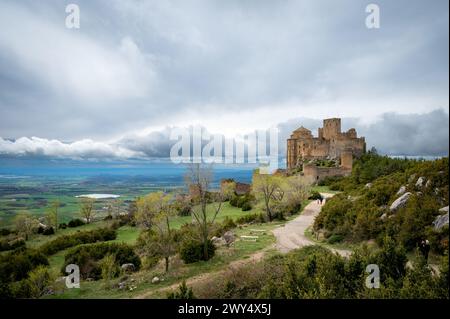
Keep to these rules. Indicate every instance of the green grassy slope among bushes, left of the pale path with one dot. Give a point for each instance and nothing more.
(179, 271)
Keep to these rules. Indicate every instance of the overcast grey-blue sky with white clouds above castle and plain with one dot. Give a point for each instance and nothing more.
(134, 69)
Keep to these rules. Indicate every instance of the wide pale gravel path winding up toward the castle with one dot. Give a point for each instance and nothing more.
(292, 235)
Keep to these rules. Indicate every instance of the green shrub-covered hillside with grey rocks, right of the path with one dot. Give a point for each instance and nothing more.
(398, 198)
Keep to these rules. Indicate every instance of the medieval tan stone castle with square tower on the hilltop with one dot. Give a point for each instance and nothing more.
(303, 150)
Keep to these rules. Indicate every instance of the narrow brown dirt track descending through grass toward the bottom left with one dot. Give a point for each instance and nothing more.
(205, 277)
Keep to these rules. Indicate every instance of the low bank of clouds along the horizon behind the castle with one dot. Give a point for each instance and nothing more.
(392, 134)
